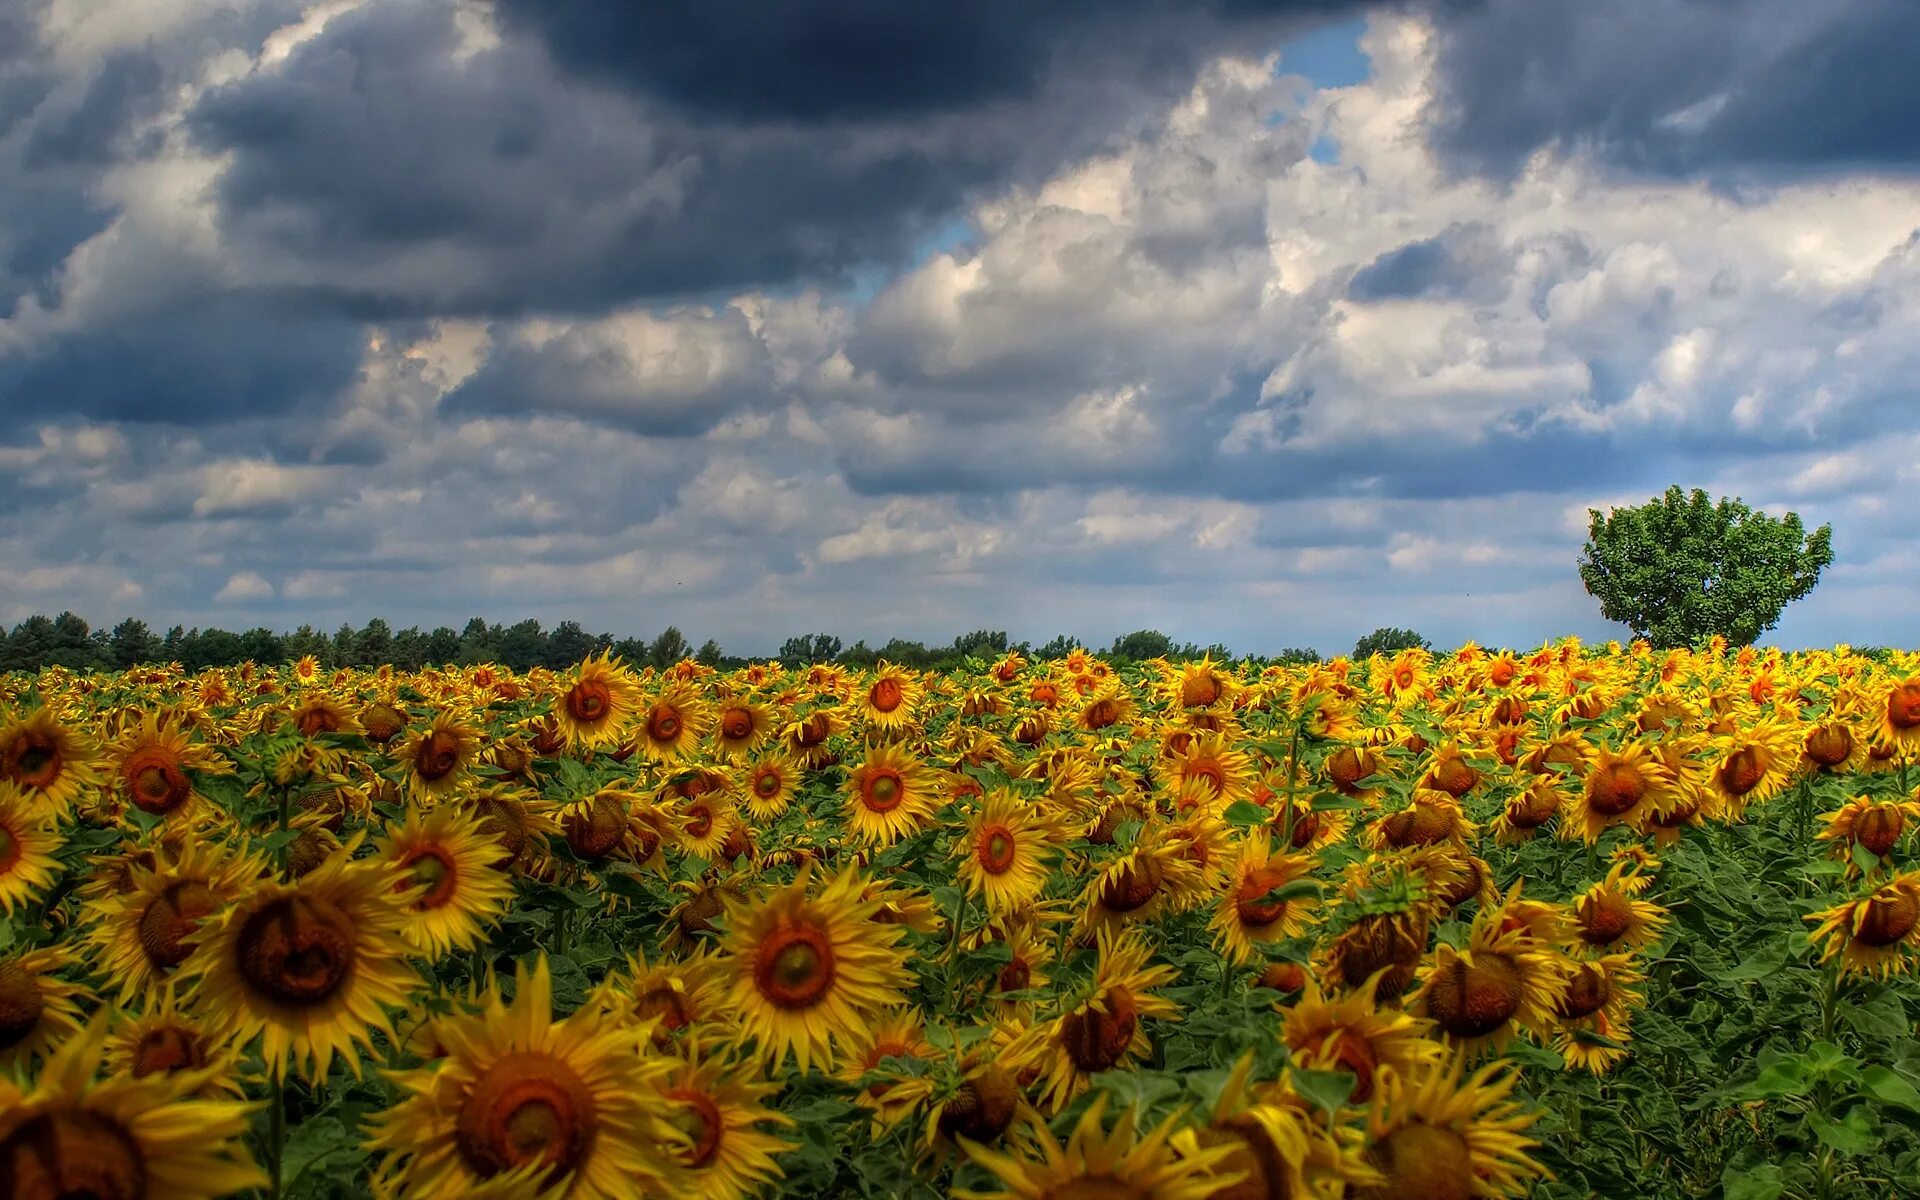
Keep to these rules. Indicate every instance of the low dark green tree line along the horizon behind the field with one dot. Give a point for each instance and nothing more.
(70, 642)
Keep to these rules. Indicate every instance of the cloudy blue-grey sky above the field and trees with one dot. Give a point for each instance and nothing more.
(1253, 322)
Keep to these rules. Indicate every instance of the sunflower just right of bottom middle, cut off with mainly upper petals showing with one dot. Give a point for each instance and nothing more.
(1099, 1163)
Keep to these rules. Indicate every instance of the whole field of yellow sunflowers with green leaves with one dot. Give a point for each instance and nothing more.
(1573, 923)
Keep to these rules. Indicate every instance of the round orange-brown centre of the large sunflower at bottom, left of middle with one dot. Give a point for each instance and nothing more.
(527, 1109)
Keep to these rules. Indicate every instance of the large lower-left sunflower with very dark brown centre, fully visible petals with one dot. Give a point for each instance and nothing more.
(310, 967)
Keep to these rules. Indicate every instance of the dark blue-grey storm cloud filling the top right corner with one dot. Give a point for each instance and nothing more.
(1679, 87)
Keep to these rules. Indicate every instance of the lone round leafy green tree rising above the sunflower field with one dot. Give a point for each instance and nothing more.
(1681, 569)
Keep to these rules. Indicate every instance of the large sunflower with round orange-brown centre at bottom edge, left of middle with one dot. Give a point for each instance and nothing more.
(517, 1095)
